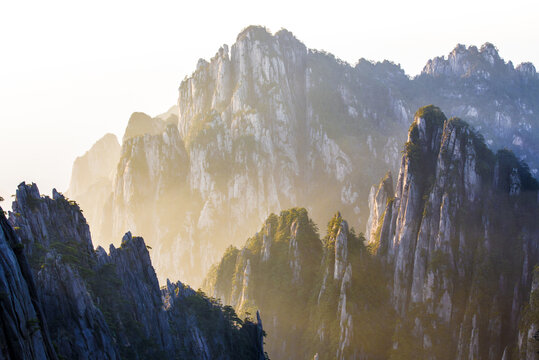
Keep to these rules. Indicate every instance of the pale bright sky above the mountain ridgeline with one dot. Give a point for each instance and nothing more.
(71, 71)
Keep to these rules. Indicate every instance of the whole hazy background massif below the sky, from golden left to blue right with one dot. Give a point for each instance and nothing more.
(268, 124)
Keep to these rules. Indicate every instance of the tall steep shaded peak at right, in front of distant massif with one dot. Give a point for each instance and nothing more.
(461, 244)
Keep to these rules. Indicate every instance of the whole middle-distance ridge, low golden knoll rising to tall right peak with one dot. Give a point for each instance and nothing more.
(447, 272)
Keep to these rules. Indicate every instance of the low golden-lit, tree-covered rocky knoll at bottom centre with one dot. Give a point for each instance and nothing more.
(332, 293)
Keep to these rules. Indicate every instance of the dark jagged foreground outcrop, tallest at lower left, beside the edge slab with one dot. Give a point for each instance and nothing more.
(57, 242)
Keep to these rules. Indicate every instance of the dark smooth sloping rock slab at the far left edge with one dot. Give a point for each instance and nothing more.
(23, 330)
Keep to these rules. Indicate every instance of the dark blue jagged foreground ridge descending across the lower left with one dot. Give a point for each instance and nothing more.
(109, 306)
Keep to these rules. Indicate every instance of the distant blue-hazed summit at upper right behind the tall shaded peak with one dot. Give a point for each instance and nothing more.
(490, 94)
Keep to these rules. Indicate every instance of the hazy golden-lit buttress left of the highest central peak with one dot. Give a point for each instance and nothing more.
(152, 197)
